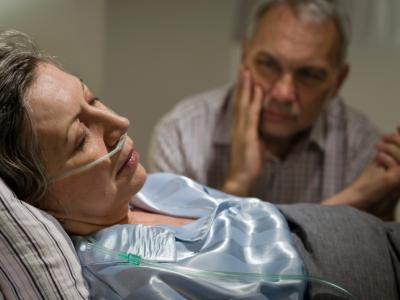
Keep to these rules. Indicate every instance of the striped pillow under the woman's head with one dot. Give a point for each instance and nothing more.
(37, 259)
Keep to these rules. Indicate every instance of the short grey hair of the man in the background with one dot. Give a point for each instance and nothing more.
(311, 10)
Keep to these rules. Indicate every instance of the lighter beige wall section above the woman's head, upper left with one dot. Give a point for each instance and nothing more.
(71, 30)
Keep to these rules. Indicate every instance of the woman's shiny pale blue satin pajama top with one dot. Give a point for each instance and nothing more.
(229, 234)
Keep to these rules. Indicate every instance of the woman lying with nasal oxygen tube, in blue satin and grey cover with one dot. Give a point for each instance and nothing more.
(63, 151)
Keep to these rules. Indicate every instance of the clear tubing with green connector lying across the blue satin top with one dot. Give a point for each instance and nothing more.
(137, 261)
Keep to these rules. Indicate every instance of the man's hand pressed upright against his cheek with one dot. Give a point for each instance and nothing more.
(247, 149)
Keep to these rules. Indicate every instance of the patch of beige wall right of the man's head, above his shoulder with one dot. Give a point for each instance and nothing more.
(374, 85)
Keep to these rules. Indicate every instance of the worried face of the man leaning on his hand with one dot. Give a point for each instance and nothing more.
(295, 62)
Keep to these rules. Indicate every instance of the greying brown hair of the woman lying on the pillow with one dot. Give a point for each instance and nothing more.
(21, 166)
